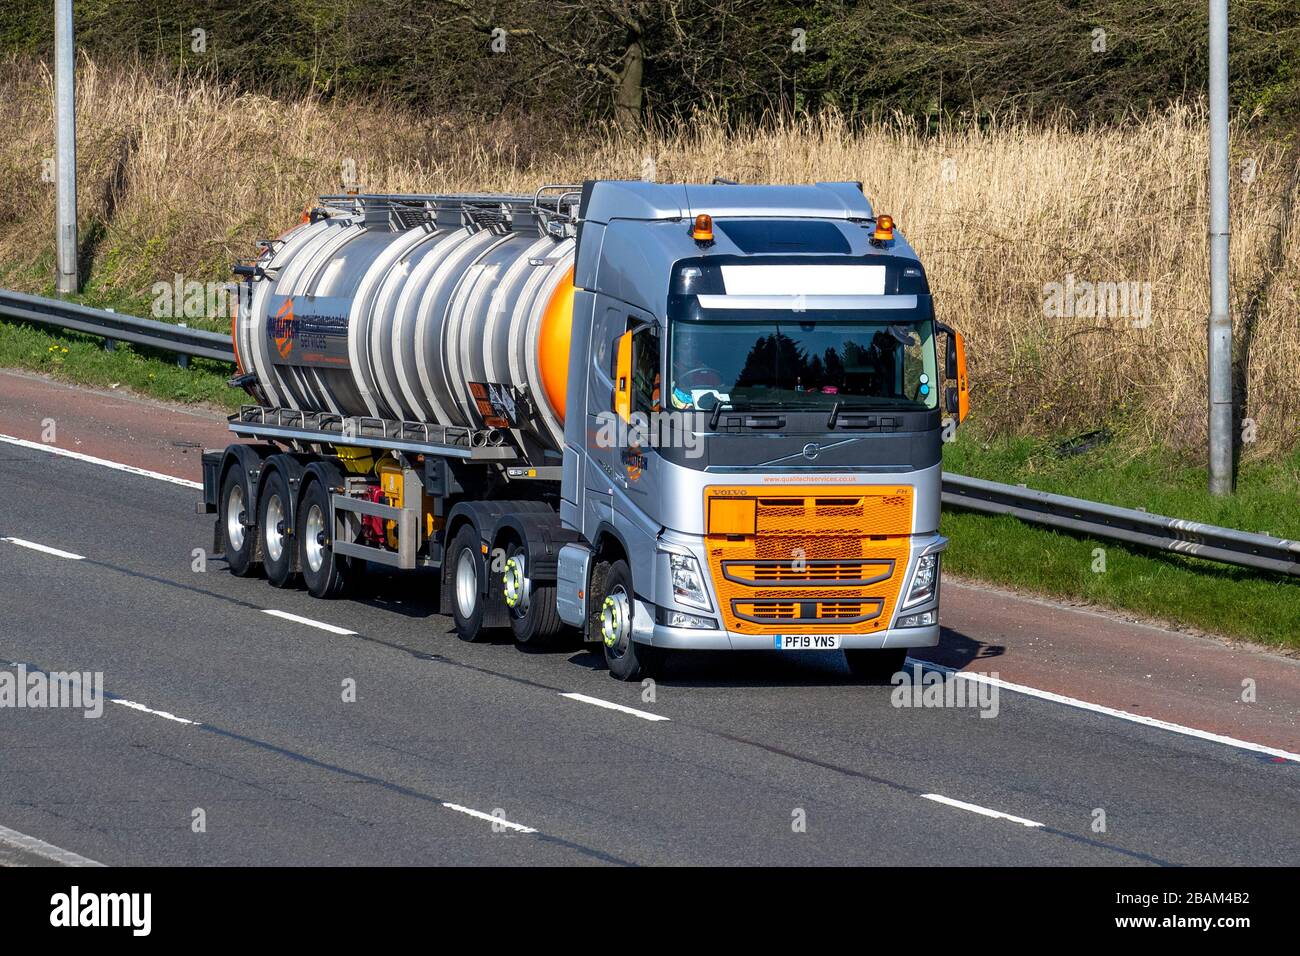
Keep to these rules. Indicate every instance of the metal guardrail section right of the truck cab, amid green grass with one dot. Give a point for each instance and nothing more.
(1110, 522)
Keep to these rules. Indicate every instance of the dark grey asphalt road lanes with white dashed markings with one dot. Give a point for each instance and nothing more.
(762, 760)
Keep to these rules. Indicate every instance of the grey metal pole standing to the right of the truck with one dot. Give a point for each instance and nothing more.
(1220, 319)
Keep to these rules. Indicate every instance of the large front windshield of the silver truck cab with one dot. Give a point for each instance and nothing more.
(816, 360)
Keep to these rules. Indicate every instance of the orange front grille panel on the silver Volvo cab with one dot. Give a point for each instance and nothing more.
(808, 557)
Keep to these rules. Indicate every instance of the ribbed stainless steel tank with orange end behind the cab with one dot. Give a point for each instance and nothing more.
(417, 309)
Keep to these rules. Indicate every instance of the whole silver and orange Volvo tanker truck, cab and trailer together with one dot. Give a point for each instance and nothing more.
(668, 417)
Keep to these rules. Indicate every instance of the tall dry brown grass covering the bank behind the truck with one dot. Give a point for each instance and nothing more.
(184, 176)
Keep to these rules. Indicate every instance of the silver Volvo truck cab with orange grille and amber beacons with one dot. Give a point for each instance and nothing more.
(759, 456)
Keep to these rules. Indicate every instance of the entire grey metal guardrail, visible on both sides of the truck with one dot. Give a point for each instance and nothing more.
(1091, 518)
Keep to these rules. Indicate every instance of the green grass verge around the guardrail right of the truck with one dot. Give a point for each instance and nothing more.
(1208, 596)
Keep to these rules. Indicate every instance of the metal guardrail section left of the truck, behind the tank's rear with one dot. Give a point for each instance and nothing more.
(116, 327)
